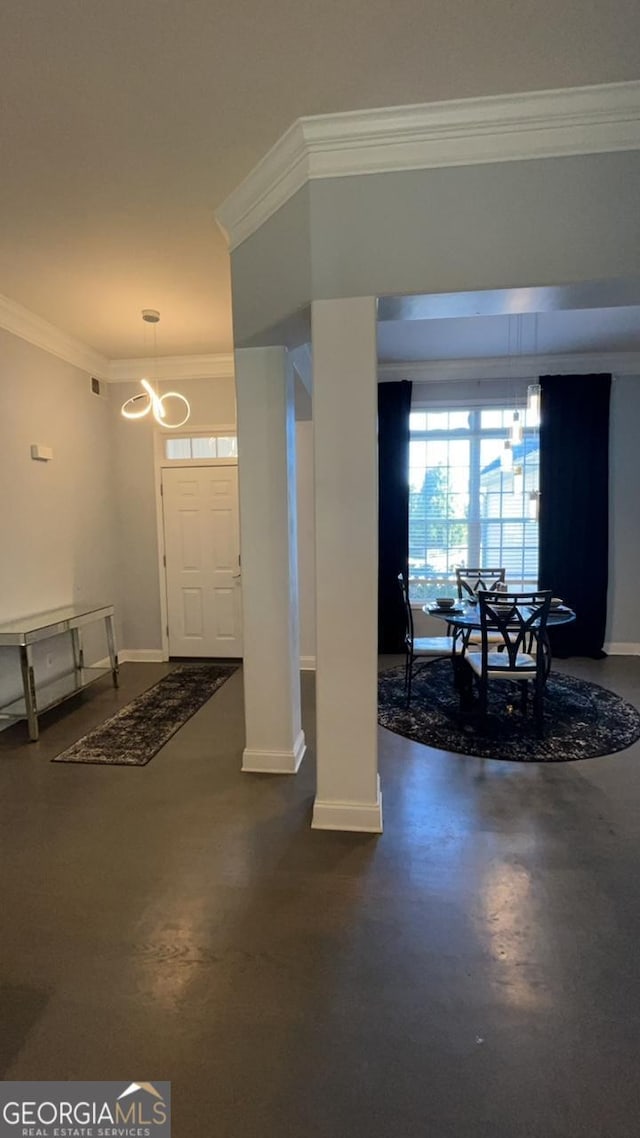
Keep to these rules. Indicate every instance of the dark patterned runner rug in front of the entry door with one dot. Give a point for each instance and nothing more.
(138, 731)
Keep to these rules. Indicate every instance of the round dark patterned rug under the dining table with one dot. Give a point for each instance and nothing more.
(582, 721)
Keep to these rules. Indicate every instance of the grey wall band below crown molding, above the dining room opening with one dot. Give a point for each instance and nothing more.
(545, 221)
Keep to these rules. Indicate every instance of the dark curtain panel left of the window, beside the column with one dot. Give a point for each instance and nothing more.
(395, 408)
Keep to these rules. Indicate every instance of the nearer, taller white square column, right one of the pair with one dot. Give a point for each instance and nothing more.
(347, 565)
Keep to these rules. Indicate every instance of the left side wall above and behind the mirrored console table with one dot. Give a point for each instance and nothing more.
(59, 538)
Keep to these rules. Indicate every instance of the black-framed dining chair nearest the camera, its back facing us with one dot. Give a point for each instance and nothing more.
(521, 622)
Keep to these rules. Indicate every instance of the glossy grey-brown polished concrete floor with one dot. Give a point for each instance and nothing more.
(473, 972)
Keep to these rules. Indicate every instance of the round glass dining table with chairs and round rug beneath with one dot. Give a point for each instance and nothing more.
(487, 685)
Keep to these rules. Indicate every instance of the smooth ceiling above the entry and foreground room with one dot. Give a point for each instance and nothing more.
(126, 123)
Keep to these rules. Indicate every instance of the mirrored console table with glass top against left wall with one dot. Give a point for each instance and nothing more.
(26, 632)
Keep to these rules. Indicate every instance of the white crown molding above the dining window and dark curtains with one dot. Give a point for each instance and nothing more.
(618, 364)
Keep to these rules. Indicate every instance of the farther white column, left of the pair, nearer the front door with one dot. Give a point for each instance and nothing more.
(265, 385)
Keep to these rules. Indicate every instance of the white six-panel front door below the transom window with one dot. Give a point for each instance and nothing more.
(203, 571)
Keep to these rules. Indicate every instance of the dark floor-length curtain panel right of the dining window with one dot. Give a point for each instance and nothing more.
(575, 506)
